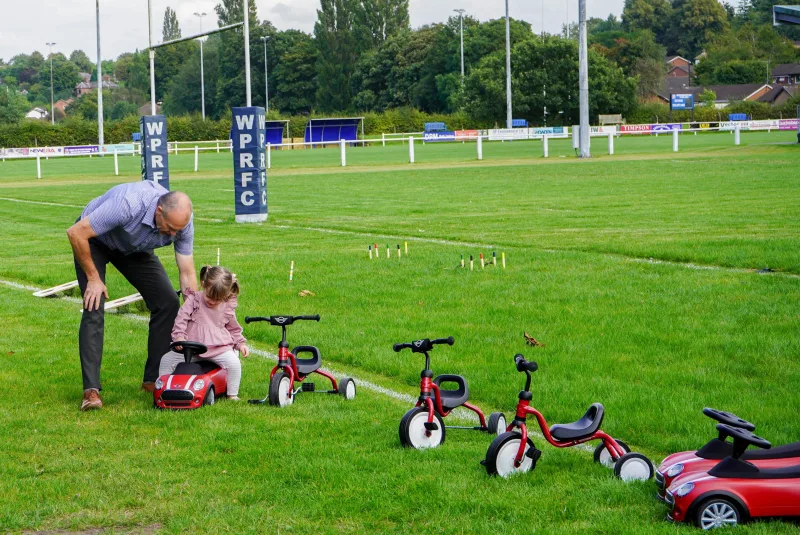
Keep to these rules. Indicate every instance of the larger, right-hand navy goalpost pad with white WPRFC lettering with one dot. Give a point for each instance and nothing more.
(248, 136)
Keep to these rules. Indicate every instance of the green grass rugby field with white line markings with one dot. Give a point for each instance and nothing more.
(638, 272)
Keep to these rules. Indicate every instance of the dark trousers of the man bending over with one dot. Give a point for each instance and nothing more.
(145, 273)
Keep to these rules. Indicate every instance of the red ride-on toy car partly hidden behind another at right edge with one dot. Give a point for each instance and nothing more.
(717, 449)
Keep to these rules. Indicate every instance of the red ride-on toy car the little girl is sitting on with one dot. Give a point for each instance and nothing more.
(193, 383)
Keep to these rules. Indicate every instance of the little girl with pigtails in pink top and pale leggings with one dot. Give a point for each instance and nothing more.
(209, 317)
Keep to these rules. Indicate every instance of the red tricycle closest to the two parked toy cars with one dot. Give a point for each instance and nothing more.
(513, 452)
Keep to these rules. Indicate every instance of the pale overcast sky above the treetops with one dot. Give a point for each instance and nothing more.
(27, 25)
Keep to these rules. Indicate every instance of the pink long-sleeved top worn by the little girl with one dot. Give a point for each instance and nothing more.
(216, 328)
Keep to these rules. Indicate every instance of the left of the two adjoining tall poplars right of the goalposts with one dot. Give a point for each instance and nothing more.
(336, 59)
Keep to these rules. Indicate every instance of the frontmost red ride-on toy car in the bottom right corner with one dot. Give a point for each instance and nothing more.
(735, 490)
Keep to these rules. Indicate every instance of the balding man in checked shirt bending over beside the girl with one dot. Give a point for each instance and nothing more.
(122, 227)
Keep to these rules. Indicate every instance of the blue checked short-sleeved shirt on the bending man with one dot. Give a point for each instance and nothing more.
(124, 220)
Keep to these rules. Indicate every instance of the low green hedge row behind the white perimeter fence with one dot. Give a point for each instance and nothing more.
(75, 131)
